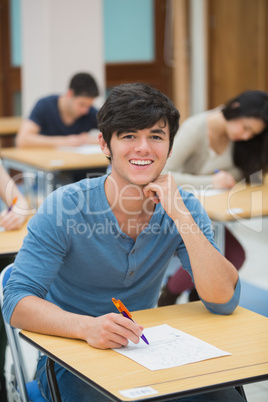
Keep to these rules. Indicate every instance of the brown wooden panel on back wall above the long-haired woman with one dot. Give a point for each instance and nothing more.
(258, 78)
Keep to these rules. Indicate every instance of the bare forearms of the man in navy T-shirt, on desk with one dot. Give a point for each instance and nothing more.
(29, 136)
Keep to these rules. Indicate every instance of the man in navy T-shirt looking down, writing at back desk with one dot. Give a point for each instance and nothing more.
(63, 120)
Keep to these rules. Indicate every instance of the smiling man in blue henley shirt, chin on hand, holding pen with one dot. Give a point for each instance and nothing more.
(114, 236)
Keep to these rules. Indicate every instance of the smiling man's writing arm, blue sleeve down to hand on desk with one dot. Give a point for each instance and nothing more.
(36, 268)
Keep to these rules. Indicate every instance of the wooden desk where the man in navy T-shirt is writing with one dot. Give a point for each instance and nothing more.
(44, 163)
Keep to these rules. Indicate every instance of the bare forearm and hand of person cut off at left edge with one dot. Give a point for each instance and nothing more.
(15, 218)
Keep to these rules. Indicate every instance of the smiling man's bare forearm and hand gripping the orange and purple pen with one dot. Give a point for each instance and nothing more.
(107, 331)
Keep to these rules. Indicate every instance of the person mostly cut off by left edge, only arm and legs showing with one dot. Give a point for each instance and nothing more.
(9, 220)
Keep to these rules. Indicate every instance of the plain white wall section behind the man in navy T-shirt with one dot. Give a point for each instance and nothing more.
(59, 39)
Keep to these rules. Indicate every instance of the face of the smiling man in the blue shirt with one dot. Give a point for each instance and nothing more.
(139, 156)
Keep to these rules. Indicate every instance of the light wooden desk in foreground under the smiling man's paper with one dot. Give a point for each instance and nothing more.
(244, 334)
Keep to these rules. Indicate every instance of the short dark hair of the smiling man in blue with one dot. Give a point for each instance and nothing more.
(136, 106)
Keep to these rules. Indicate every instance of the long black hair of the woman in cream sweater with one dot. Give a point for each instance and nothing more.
(252, 155)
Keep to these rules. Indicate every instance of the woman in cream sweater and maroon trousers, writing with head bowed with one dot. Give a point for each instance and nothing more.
(215, 149)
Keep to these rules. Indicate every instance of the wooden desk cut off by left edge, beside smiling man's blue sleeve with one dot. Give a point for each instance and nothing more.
(11, 240)
